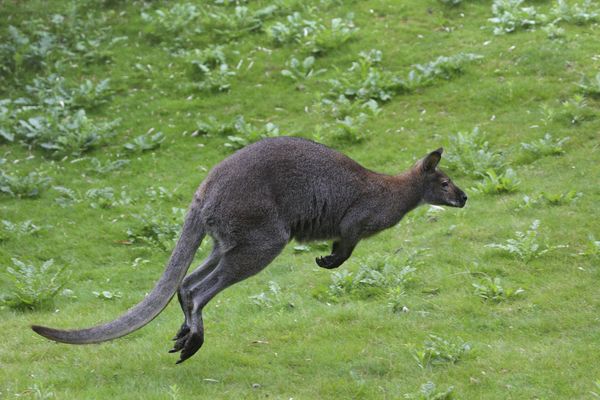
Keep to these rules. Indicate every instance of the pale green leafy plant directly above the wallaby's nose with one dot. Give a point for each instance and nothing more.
(470, 154)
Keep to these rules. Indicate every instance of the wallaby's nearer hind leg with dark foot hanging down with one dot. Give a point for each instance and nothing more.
(234, 266)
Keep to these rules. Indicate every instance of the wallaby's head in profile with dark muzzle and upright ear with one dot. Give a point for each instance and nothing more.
(438, 188)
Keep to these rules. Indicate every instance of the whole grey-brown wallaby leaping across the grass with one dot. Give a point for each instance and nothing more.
(252, 204)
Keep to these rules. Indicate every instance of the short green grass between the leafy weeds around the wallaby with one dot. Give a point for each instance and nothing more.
(543, 345)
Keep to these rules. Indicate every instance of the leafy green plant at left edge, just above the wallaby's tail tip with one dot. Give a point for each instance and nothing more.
(32, 287)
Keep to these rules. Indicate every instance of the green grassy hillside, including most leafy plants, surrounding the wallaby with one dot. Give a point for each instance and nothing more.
(155, 68)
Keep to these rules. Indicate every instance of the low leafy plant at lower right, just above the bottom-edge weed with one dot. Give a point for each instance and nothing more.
(437, 350)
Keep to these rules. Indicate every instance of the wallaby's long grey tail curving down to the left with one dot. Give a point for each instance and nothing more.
(145, 311)
